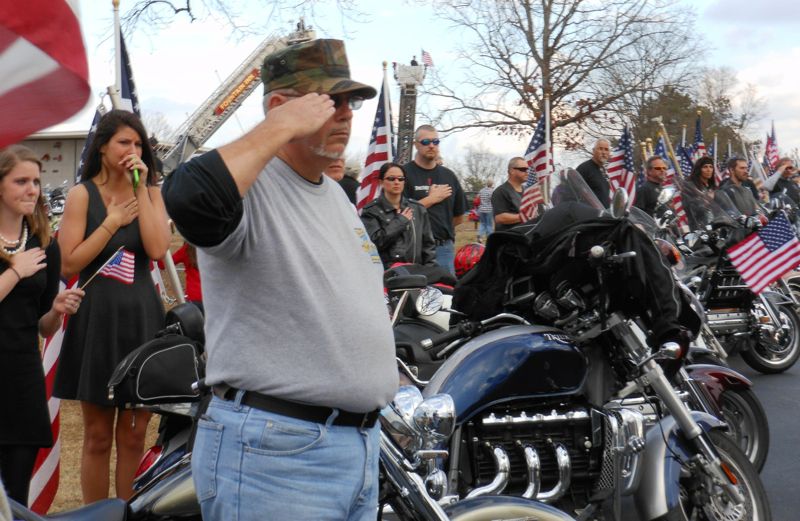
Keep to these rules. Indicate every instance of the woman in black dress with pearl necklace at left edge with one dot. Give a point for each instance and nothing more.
(30, 304)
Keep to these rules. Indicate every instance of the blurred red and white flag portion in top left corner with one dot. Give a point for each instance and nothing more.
(45, 77)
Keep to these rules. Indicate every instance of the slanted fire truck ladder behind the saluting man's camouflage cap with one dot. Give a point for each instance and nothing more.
(224, 101)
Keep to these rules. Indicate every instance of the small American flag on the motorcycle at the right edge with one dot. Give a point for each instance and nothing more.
(766, 255)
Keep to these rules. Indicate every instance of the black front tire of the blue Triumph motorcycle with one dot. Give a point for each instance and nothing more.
(715, 508)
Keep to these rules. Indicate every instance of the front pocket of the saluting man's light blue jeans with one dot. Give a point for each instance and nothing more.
(285, 437)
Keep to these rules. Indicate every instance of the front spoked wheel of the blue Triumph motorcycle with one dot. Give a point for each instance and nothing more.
(703, 500)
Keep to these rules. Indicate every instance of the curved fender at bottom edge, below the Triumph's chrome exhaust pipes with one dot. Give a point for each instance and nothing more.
(504, 507)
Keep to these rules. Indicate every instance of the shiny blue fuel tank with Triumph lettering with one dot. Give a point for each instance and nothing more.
(508, 364)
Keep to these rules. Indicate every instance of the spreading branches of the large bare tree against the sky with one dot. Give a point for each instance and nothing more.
(588, 56)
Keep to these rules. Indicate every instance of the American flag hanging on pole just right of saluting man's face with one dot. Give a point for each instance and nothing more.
(379, 151)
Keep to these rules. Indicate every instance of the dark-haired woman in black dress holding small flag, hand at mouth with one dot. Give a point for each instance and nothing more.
(117, 204)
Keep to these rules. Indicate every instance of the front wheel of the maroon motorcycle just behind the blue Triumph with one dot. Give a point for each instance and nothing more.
(747, 424)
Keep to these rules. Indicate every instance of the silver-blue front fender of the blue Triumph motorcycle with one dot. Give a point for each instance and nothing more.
(659, 488)
